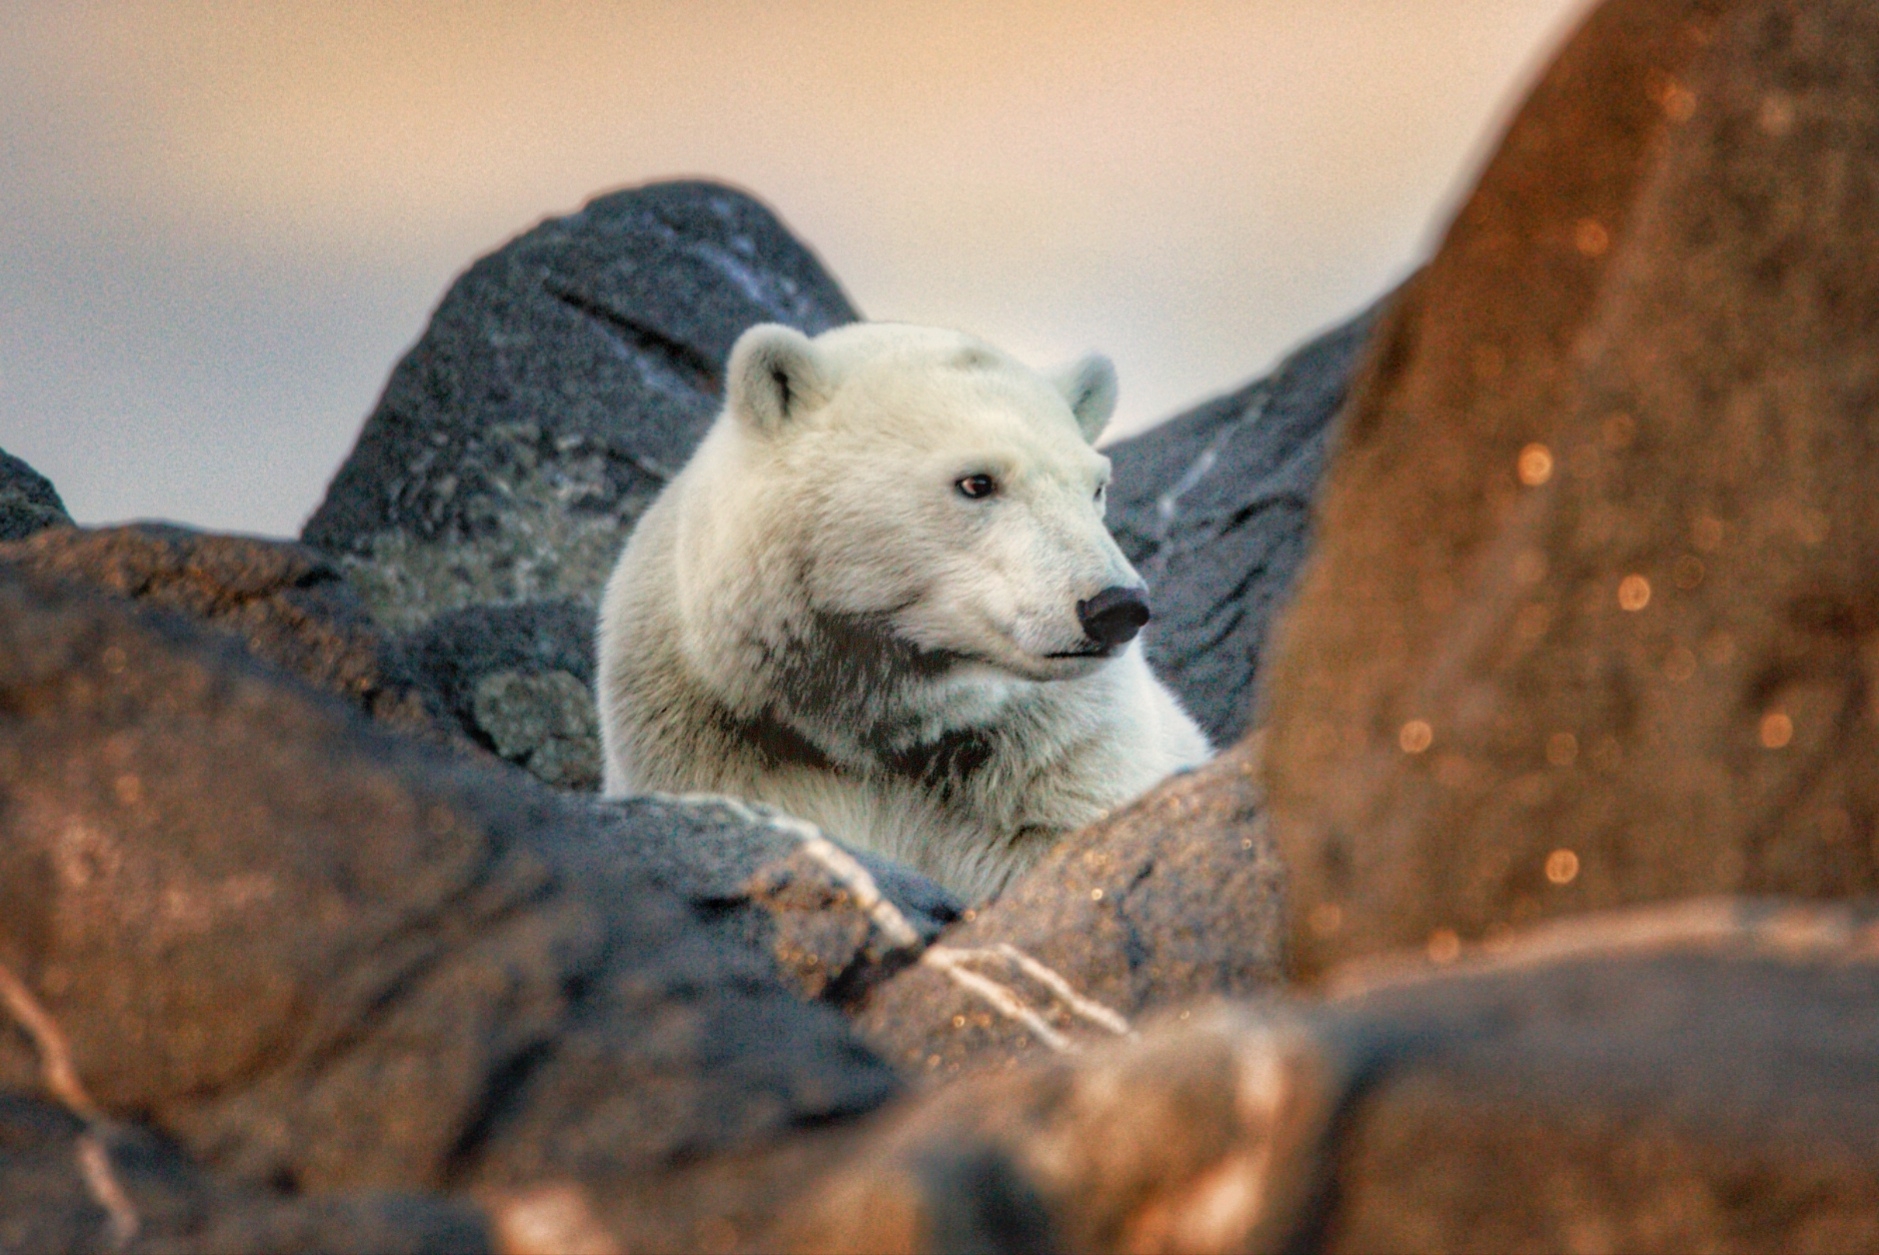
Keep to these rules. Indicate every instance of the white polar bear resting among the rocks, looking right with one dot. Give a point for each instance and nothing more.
(882, 598)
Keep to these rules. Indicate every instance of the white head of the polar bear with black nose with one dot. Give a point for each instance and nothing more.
(903, 516)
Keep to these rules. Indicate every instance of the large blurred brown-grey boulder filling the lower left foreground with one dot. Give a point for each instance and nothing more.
(324, 959)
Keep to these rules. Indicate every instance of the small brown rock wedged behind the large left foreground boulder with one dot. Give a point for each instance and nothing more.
(285, 602)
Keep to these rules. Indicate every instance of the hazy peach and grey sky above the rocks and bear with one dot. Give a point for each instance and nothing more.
(221, 225)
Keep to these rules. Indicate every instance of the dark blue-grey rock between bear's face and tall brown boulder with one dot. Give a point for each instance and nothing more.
(1215, 510)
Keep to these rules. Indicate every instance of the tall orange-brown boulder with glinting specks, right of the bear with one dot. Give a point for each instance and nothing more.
(1592, 612)
